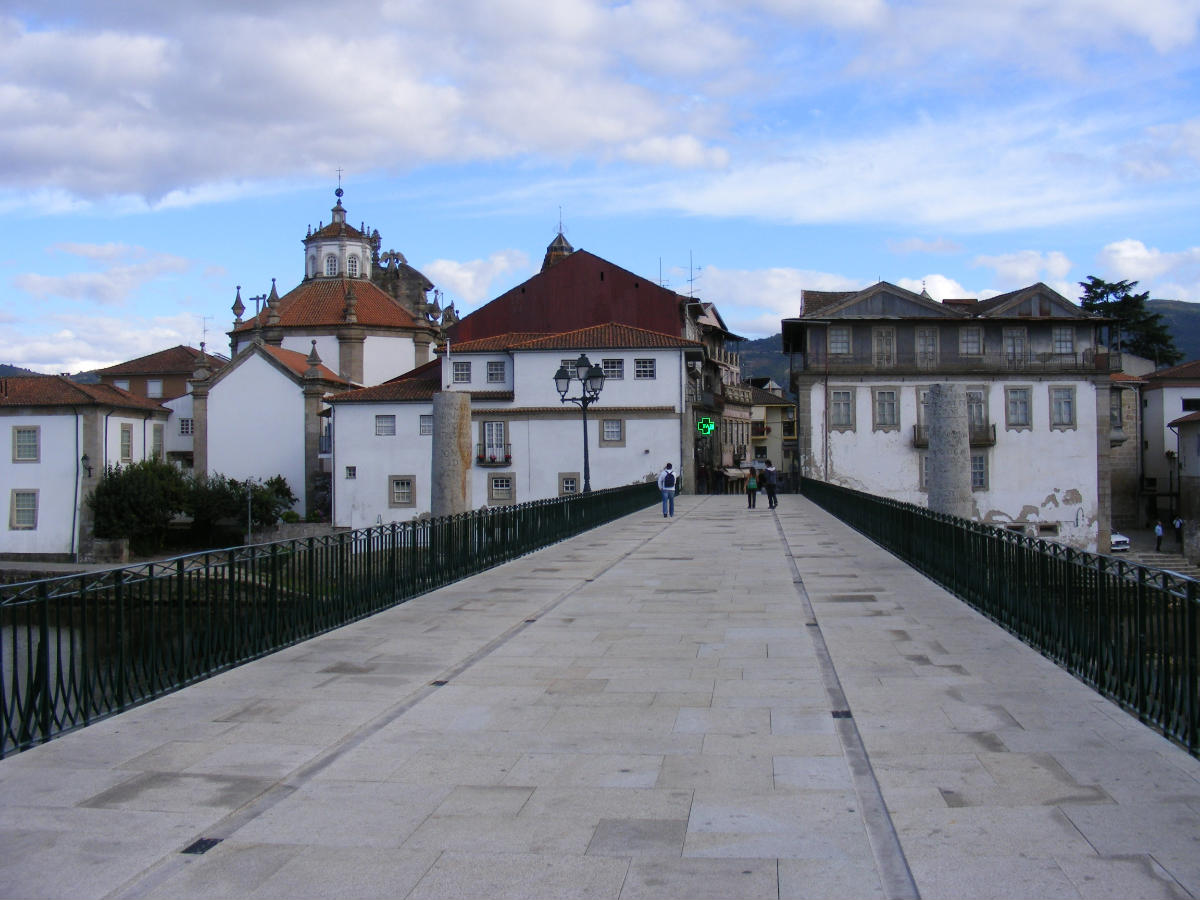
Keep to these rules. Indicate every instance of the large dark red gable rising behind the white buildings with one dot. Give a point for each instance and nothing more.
(580, 291)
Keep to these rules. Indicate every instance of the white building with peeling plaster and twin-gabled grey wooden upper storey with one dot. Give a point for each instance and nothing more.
(1037, 387)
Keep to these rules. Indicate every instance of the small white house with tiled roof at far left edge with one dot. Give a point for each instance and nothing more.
(62, 437)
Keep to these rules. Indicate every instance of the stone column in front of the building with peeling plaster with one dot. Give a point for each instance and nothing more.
(949, 464)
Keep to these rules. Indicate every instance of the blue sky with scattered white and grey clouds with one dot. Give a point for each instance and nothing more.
(155, 155)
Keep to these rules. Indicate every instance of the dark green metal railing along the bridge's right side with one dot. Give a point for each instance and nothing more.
(1129, 631)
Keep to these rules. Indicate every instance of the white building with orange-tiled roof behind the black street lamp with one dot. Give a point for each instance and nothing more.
(529, 443)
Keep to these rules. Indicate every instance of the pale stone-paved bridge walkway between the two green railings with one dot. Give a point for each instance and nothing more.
(734, 704)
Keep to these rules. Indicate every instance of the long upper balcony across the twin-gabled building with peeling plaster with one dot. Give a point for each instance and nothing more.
(1089, 362)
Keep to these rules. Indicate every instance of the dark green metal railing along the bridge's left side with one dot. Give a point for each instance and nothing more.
(80, 649)
